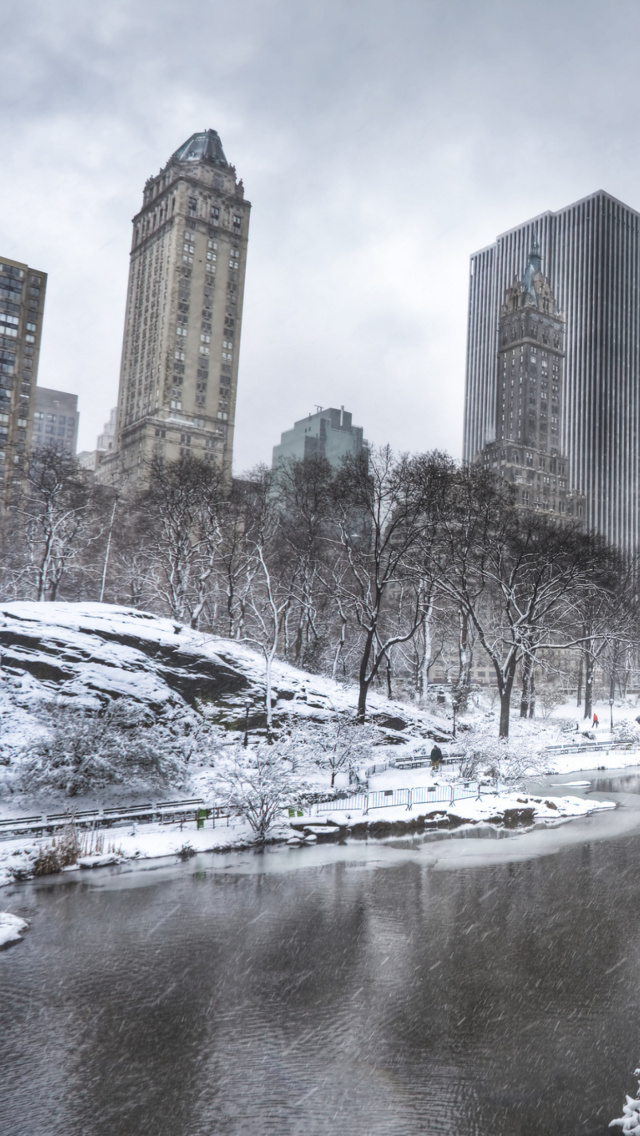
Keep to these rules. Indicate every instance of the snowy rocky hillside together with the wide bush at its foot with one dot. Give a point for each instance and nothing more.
(95, 697)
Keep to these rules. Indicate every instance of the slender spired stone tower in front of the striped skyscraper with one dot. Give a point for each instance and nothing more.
(527, 447)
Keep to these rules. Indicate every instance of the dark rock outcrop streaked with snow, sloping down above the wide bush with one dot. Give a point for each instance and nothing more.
(97, 653)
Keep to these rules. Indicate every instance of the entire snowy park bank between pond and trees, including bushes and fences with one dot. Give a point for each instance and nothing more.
(127, 738)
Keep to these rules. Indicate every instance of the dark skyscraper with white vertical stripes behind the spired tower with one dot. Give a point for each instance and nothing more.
(591, 253)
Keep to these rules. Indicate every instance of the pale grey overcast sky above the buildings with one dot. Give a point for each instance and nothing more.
(380, 141)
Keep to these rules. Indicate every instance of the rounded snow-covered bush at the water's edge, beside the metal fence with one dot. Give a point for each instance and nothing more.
(257, 784)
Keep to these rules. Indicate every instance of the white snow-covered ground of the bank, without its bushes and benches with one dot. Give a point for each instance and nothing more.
(201, 691)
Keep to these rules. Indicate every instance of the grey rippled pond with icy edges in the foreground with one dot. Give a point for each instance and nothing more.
(359, 990)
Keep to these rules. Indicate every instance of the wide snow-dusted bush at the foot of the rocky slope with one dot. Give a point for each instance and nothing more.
(86, 750)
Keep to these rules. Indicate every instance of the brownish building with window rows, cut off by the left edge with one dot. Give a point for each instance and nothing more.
(22, 308)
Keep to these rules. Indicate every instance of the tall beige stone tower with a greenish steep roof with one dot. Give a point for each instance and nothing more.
(179, 372)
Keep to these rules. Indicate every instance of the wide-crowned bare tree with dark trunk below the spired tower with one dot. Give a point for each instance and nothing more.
(514, 574)
